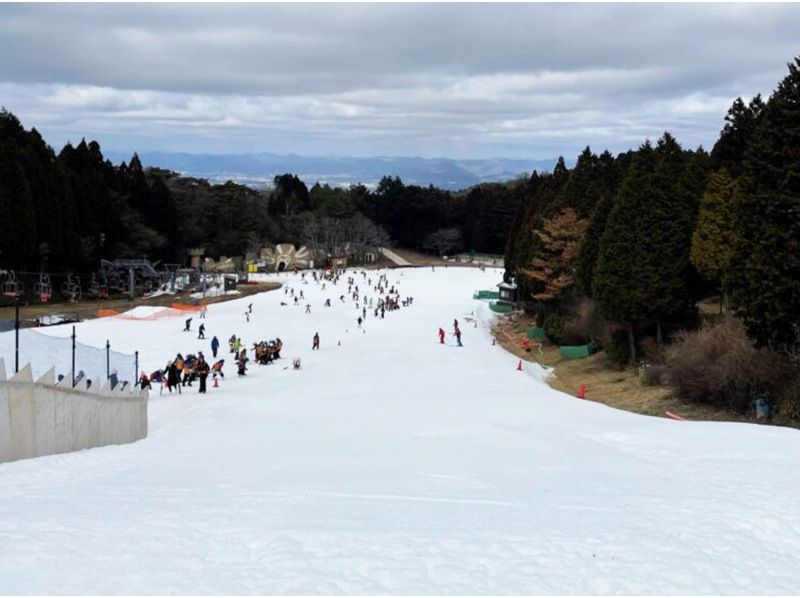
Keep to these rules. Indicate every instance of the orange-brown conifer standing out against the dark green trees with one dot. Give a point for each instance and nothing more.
(553, 267)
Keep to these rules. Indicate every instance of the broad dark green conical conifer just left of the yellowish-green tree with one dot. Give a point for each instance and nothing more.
(643, 274)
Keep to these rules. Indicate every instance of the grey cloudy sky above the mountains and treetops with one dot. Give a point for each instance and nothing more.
(453, 80)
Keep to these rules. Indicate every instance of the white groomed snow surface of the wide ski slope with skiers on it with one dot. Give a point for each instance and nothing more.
(394, 465)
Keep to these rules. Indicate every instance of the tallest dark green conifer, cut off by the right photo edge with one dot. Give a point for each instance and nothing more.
(765, 278)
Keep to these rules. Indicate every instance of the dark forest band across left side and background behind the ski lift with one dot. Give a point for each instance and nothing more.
(66, 211)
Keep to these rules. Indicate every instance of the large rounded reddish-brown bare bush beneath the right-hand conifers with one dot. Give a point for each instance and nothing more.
(719, 365)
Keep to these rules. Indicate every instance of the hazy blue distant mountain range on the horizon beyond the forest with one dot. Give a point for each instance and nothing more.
(259, 169)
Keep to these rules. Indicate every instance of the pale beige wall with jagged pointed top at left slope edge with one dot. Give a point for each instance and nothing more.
(44, 418)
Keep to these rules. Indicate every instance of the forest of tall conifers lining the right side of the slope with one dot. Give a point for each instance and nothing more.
(620, 250)
